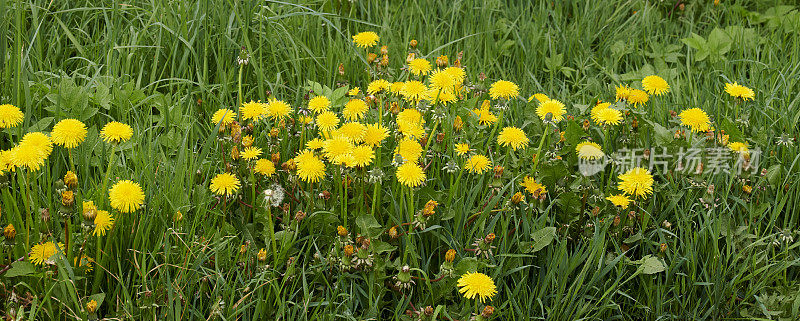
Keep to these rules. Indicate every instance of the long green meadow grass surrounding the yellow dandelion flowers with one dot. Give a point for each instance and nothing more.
(166, 67)
